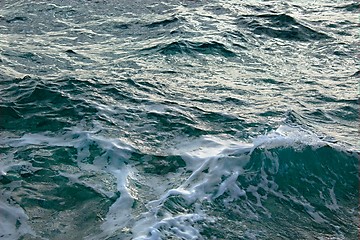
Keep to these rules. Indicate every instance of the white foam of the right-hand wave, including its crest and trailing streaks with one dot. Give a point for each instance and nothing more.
(215, 165)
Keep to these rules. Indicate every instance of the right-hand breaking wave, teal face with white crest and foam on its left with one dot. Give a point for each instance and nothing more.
(281, 175)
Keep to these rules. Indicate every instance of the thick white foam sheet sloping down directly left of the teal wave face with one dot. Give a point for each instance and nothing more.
(215, 165)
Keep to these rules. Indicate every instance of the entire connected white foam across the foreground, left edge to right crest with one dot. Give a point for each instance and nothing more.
(213, 165)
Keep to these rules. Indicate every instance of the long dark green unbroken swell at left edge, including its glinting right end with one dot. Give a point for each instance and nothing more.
(34, 104)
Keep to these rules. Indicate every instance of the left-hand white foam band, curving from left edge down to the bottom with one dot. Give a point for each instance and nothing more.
(113, 154)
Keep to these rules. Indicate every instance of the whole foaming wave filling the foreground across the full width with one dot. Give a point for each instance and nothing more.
(285, 175)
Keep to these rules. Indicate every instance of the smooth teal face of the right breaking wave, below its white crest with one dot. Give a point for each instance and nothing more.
(318, 186)
